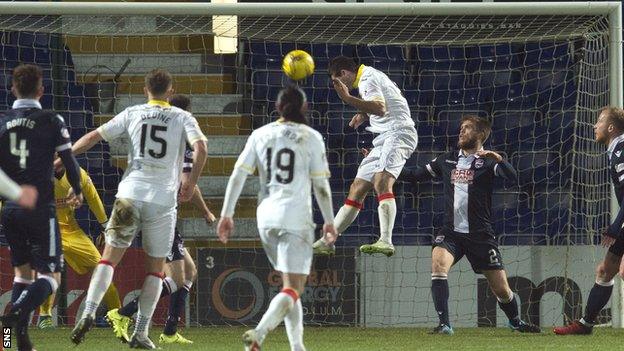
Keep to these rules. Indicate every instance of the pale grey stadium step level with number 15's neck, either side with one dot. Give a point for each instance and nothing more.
(200, 104)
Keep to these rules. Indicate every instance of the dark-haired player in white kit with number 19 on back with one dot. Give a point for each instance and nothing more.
(290, 158)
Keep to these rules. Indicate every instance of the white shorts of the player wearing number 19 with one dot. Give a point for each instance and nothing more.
(288, 251)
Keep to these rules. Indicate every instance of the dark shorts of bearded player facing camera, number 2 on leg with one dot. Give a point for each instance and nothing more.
(480, 249)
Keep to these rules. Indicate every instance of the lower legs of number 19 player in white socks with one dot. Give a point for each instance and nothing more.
(285, 306)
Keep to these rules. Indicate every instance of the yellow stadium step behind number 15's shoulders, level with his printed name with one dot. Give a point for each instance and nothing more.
(211, 125)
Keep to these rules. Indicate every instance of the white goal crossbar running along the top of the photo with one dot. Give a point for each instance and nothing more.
(316, 9)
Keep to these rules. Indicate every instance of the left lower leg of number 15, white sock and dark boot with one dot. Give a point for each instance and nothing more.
(100, 281)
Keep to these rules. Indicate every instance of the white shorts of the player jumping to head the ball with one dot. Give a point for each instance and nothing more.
(390, 152)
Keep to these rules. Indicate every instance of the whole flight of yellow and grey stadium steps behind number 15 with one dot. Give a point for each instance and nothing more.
(198, 72)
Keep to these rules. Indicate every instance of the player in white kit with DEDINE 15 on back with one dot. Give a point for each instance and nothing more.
(147, 195)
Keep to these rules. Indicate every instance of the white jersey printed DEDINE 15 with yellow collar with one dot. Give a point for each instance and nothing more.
(158, 133)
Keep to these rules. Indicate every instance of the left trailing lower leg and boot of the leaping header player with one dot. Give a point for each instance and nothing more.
(346, 214)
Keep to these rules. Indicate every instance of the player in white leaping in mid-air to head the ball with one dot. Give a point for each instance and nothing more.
(384, 107)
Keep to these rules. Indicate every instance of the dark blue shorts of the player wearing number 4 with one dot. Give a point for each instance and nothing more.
(33, 237)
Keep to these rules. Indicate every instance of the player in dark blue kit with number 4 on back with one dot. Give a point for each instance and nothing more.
(29, 138)
